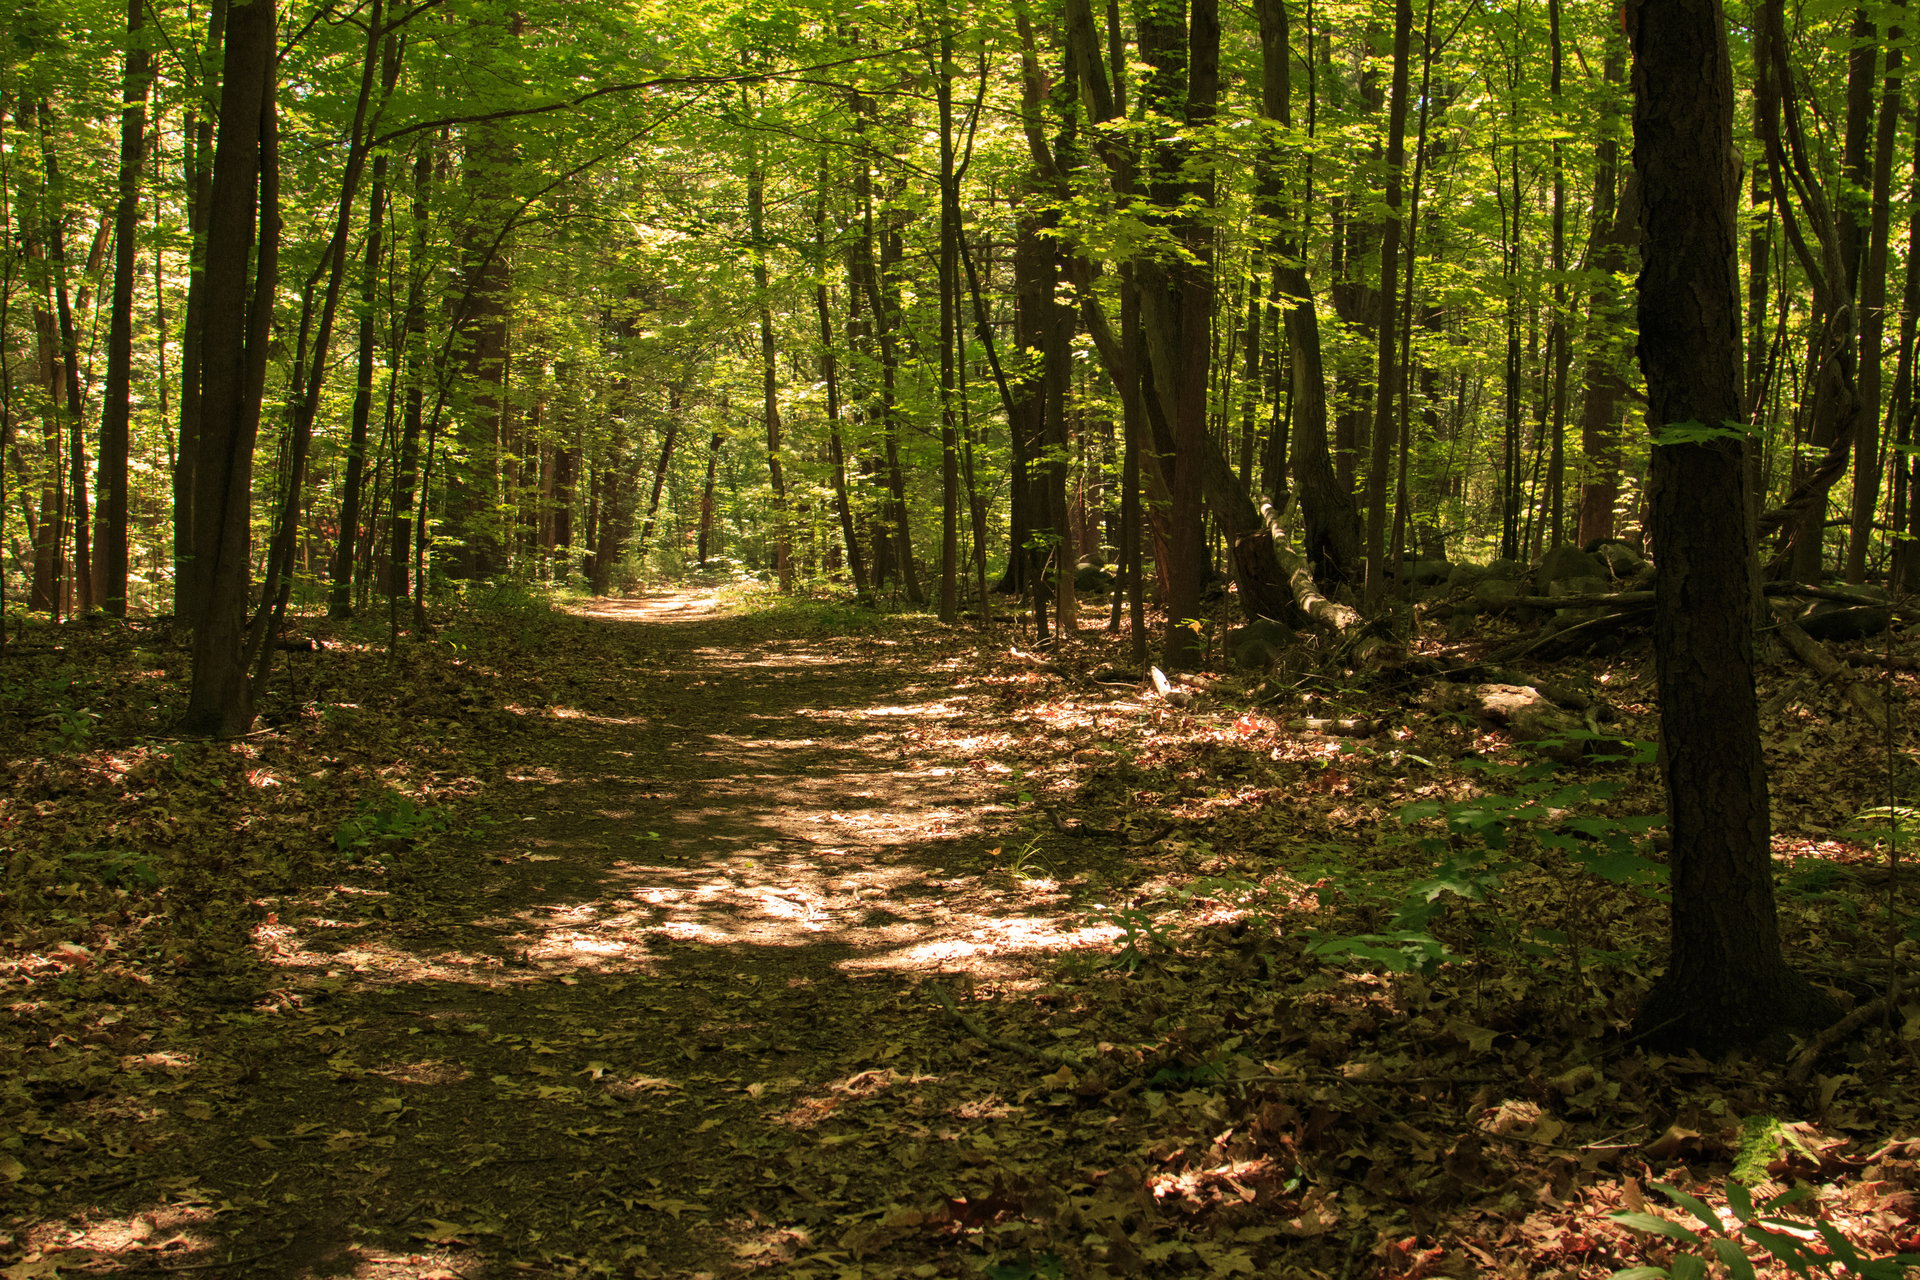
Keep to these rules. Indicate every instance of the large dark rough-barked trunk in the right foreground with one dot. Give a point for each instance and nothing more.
(1727, 984)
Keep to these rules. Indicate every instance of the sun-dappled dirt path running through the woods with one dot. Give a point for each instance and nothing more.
(661, 1018)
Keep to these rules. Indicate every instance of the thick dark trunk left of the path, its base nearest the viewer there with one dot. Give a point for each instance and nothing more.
(237, 325)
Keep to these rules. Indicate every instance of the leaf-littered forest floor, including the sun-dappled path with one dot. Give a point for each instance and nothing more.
(669, 937)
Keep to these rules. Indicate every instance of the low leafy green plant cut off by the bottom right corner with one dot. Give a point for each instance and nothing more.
(1802, 1244)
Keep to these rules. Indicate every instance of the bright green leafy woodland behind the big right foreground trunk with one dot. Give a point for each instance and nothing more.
(928, 279)
